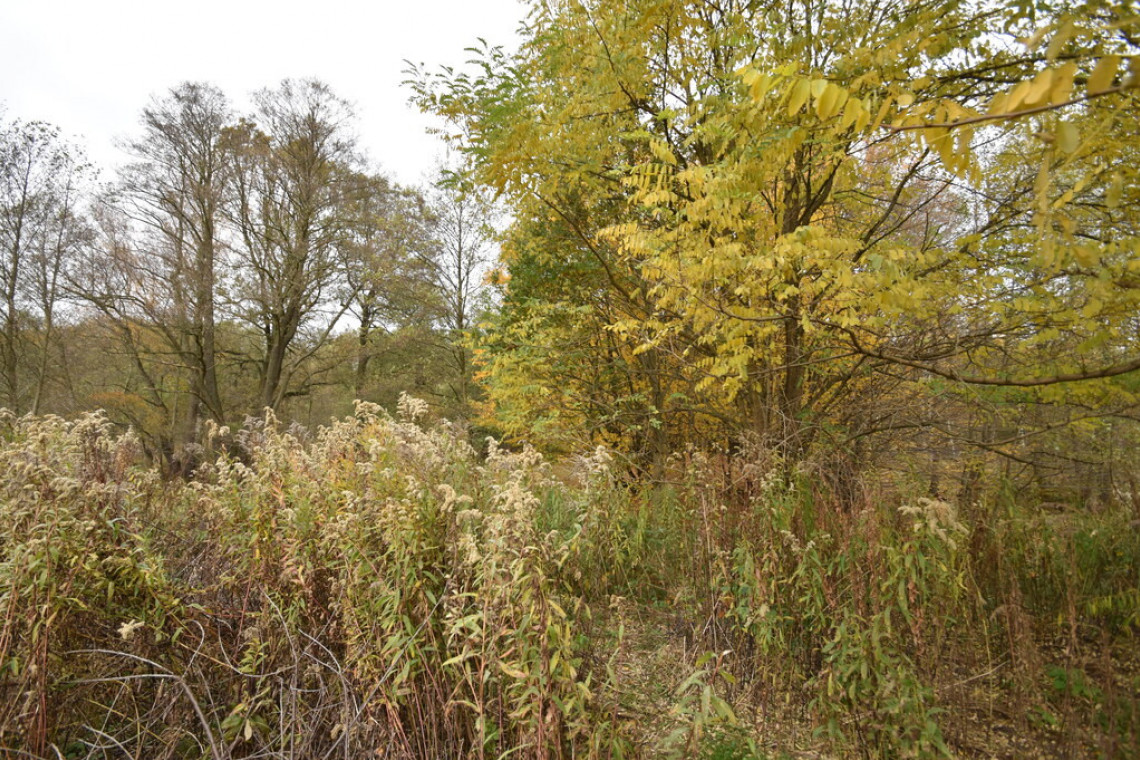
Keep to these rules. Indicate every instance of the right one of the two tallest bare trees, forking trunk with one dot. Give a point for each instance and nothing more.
(299, 184)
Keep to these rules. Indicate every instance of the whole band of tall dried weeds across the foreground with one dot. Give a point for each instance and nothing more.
(382, 589)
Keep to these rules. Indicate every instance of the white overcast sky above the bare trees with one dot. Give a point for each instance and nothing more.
(89, 67)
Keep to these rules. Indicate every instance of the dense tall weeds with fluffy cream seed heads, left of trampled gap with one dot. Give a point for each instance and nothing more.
(378, 587)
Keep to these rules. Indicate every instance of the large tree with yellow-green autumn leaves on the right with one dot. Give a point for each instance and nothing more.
(805, 218)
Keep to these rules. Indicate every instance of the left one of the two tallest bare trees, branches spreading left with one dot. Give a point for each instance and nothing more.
(154, 279)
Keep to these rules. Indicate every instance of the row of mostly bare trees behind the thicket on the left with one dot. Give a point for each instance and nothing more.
(240, 261)
